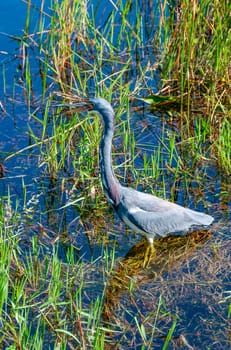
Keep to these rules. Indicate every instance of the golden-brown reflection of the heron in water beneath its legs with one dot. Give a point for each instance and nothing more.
(169, 252)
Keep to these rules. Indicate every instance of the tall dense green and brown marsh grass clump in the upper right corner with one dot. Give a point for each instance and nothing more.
(196, 70)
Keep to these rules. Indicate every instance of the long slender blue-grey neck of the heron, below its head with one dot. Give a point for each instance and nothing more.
(110, 183)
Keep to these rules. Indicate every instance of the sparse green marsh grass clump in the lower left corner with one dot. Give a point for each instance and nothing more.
(42, 299)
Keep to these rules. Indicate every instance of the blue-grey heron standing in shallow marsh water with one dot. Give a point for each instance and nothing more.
(144, 213)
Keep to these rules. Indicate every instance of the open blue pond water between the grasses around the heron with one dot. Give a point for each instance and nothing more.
(192, 286)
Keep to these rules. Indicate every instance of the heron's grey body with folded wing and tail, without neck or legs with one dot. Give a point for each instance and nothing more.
(150, 214)
